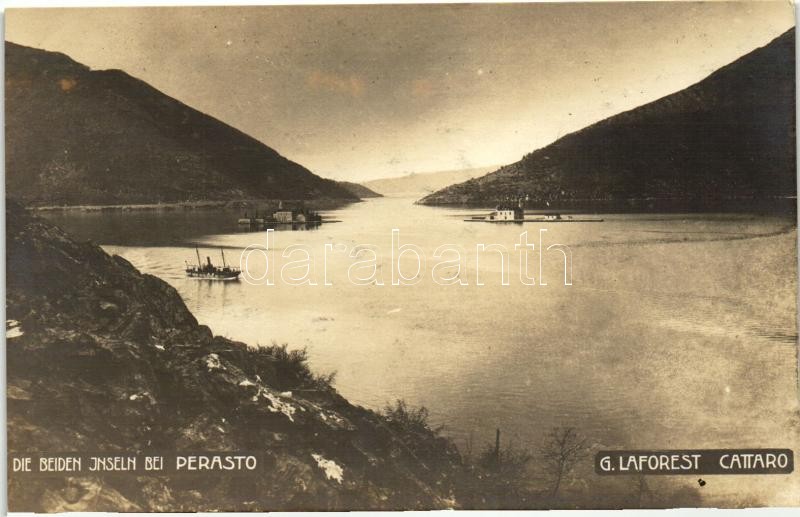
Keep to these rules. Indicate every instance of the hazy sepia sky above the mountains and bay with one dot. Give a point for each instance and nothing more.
(360, 92)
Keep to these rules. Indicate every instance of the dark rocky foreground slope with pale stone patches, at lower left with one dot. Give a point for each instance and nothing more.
(102, 358)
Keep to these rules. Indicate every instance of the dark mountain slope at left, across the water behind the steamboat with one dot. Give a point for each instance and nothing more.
(76, 136)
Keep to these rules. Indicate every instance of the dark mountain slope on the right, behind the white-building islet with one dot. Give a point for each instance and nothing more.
(726, 142)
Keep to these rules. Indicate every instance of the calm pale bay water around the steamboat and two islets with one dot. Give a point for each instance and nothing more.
(678, 331)
